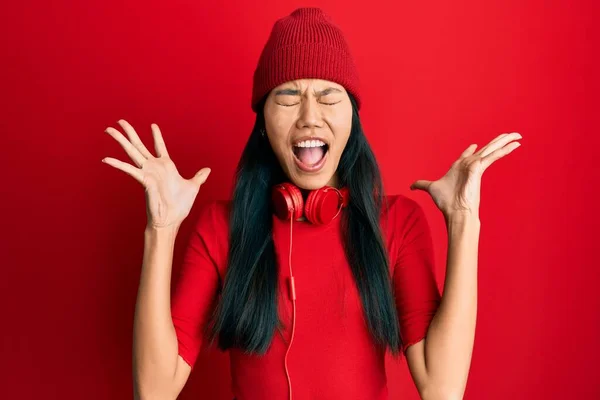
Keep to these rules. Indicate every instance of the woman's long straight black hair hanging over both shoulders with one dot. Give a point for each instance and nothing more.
(246, 315)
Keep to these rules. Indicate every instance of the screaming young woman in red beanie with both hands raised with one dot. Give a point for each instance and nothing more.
(311, 272)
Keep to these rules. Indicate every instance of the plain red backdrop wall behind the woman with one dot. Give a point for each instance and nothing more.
(436, 77)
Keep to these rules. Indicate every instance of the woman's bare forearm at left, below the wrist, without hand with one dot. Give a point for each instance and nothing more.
(154, 339)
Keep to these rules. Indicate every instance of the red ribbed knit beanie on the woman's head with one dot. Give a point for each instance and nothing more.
(305, 44)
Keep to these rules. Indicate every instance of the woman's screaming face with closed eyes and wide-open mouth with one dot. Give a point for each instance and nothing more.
(308, 123)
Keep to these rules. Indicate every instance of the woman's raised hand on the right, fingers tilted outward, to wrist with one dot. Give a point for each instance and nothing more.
(459, 190)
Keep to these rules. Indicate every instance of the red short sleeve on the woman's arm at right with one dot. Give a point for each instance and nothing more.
(416, 291)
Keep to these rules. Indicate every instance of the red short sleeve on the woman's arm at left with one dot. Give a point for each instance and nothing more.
(195, 291)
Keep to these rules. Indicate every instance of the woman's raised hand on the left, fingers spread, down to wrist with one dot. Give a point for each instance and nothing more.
(169, 197)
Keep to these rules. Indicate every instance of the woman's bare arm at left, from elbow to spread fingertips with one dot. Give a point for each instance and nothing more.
(158, 370)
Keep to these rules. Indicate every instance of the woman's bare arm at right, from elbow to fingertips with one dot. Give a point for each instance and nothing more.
(440, 363)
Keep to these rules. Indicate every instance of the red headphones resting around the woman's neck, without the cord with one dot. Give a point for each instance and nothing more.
(322, 205)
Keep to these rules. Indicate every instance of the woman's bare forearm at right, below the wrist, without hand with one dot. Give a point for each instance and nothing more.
(449, 343)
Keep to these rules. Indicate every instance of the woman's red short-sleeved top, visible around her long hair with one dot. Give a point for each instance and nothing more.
(332, 354)
